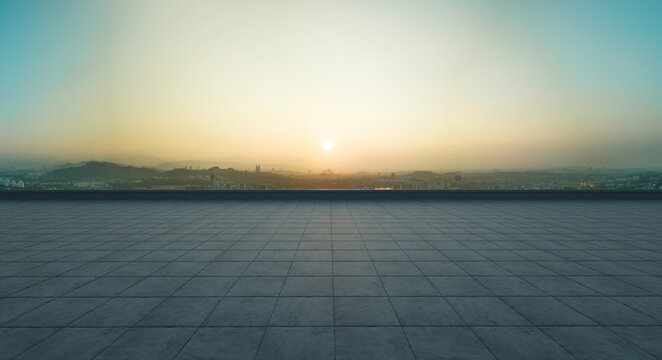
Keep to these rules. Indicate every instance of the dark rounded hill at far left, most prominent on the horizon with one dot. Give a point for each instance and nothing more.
(101, 170)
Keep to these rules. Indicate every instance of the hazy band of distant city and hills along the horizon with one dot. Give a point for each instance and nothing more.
(95, 175)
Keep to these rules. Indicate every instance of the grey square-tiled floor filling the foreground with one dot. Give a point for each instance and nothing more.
(331, 280)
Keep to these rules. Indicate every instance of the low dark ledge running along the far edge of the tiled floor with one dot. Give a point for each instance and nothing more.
(417, 195)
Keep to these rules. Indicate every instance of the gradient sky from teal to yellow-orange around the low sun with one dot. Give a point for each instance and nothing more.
(393, 85)
